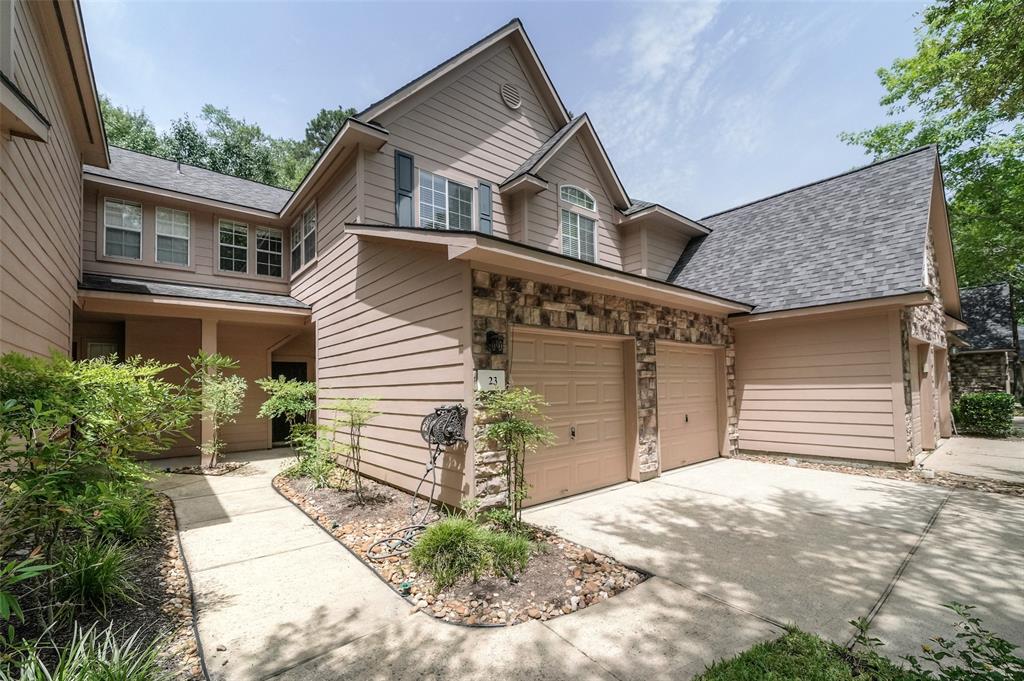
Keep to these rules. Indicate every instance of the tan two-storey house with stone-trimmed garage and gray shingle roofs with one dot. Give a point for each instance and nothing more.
(467, 229)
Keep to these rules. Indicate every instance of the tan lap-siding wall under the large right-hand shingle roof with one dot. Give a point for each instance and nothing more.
(823, 389)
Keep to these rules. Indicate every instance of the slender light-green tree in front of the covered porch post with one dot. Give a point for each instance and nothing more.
(221, 396)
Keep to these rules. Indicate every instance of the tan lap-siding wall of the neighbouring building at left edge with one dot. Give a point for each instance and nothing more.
(40, 209)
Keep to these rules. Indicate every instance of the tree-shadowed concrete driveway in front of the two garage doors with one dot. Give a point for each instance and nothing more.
(816, 548)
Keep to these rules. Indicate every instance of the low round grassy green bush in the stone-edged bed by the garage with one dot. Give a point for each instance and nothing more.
(454, 548)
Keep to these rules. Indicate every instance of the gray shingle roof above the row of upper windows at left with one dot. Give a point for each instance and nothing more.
(164, 175)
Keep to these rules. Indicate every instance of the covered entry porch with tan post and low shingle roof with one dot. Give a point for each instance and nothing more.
(268, 335)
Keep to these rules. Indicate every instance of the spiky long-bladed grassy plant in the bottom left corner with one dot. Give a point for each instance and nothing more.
(92, 656)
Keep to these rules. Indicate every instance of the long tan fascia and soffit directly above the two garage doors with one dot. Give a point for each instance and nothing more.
(480, 248)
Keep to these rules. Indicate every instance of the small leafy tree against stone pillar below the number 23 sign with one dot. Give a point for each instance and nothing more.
(514, 420)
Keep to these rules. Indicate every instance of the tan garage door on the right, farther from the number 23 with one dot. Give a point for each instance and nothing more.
(688, 405)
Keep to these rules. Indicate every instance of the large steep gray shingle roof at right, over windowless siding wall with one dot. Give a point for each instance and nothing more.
(854, 237)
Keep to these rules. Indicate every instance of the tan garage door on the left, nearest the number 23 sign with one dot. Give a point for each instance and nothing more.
(581, 377)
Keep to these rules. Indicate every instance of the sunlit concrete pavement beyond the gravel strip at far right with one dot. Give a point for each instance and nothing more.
(980, 457)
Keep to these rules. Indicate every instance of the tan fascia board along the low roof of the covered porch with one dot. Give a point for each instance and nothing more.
(114, 302)
